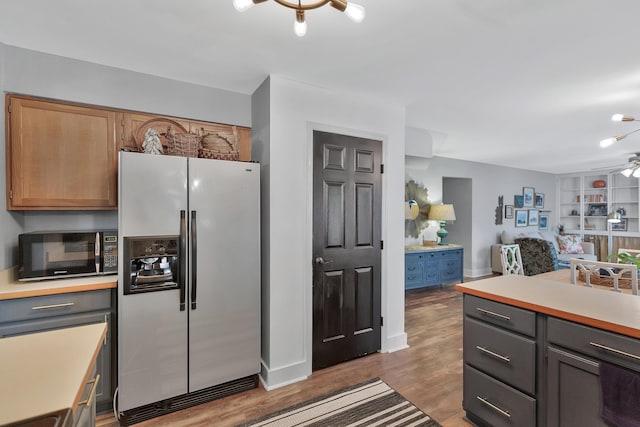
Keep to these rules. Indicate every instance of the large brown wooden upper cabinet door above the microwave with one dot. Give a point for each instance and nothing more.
(60, 156)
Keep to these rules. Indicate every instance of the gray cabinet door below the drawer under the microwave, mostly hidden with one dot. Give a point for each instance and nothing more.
(103, 362)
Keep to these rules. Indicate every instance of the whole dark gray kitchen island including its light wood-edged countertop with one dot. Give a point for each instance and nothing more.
(533, 350)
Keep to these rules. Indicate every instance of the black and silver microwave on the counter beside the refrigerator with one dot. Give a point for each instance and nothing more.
(61, 254)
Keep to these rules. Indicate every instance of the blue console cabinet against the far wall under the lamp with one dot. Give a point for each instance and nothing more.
(433, 266)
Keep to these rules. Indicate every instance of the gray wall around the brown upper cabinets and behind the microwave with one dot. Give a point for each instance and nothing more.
(33, 73)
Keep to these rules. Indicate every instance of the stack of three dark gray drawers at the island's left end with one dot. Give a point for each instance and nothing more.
(500, 354)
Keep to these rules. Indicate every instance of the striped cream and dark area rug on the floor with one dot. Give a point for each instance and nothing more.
(369, 404)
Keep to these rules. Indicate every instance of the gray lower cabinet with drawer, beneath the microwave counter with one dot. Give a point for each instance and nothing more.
(38, 314)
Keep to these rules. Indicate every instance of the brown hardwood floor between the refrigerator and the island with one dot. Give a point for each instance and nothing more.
(428, 373)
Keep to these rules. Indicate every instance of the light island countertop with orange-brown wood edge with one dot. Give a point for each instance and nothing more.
(611, 311)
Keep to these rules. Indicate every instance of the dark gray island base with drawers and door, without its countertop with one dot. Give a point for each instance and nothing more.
(523, 368)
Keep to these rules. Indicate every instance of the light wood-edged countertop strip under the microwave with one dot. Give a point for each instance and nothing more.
(11, 288)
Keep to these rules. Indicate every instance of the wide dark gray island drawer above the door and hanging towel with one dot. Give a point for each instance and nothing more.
(607, 346)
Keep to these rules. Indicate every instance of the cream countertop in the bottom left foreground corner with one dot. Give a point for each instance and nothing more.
(46, 372)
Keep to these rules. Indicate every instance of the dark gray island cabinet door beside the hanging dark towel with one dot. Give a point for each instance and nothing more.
(573, 390)
